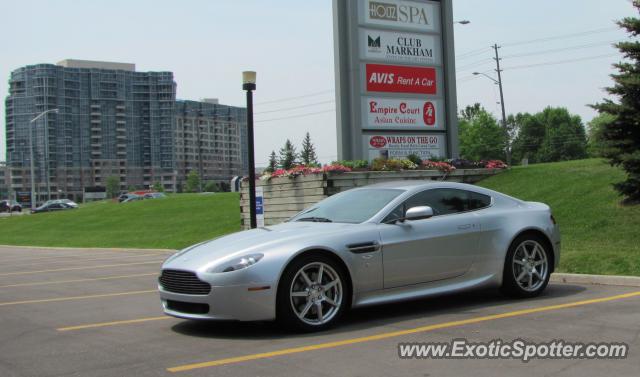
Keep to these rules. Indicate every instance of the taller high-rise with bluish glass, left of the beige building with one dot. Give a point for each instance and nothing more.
(110, 120)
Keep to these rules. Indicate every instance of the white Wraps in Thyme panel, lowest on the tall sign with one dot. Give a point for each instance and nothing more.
(401, 145)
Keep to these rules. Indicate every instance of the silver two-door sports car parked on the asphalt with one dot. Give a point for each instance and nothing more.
(370, 245)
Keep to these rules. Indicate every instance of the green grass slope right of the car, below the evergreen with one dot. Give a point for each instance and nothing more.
(599, 236)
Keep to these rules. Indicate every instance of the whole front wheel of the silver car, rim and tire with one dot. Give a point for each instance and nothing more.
(312, 294)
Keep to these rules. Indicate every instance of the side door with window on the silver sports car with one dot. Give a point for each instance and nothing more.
(441, 247)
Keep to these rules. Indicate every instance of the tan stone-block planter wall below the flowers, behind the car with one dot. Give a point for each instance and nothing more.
(286, 196)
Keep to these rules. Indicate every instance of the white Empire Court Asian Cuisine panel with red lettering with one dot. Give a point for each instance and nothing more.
(408, 114)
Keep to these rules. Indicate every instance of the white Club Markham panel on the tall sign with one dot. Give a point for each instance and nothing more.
(401, 47)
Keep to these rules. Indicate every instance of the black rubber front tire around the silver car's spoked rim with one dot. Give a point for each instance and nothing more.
(285, 303)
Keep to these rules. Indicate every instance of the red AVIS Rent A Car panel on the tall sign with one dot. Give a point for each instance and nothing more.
(401, 79)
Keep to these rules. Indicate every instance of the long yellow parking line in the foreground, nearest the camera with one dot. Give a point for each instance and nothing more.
(289, 351)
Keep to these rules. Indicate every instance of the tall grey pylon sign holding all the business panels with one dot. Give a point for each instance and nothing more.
(395, 79)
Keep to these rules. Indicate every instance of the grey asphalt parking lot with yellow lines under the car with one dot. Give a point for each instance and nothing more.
(91, 312)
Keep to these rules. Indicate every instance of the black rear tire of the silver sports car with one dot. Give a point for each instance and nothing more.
(526, 288)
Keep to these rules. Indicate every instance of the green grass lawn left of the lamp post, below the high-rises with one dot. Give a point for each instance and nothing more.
(171, 223)
